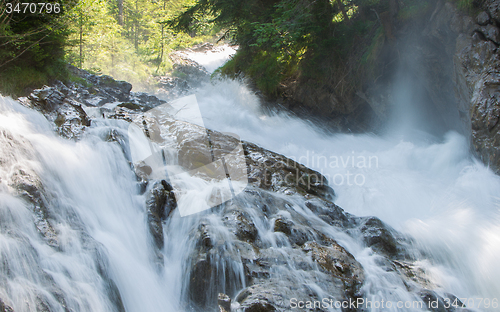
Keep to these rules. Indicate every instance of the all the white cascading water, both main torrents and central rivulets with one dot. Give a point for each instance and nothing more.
(103, 257)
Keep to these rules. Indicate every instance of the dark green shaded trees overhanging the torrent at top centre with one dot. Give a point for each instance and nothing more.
(322, 42)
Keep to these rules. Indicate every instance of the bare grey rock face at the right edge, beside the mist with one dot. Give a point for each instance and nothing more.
(477, 70)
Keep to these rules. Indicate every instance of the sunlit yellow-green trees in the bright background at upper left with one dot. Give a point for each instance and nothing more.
(132, 47)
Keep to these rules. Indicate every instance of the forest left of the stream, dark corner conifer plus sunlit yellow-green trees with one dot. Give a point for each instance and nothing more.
(127, 39)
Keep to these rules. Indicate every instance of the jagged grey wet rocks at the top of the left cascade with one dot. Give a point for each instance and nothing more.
(72, 107)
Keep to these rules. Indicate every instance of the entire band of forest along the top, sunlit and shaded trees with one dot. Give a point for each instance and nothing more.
(279, 41)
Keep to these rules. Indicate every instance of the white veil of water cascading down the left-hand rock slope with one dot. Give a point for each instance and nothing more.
(92, 199)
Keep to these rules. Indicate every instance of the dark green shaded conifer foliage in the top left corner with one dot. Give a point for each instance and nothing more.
(31, 48)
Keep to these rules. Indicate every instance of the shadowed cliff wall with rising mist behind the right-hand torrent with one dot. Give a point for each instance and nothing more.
(440, 66)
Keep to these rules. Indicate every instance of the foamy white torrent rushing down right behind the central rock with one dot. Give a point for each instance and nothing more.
(429, 187)
